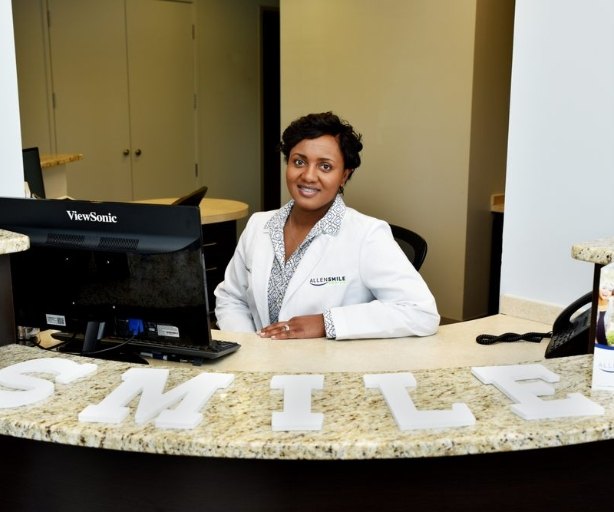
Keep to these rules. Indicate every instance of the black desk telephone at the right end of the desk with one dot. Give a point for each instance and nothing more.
(570, 330)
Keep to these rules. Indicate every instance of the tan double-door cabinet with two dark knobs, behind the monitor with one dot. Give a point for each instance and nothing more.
(123, 79)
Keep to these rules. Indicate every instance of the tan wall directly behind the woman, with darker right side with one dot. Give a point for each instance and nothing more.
(419, 79)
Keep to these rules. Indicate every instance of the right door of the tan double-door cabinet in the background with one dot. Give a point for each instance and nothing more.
(162, 97)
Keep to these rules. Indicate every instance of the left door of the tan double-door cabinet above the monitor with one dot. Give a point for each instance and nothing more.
(89, 75)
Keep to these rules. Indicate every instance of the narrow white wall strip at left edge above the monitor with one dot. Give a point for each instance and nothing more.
(11, 175)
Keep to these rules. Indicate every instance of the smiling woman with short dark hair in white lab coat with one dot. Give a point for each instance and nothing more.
(315, 267)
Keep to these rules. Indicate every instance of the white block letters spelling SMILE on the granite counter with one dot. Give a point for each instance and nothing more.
(523, 384)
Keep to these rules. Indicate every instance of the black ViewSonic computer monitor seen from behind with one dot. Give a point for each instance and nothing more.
(102, 269)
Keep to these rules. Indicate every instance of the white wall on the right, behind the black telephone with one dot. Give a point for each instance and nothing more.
(560, 172)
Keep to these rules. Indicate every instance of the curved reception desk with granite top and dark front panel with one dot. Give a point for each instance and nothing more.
(359, 460)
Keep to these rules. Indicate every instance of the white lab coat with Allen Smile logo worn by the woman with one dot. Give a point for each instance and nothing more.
(360, 273)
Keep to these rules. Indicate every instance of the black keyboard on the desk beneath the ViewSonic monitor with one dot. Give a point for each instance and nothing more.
(157, 349)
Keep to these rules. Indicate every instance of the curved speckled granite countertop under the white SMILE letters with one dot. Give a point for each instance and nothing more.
(357, 422)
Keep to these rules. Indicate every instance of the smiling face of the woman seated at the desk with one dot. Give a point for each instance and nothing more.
(315, 172)
